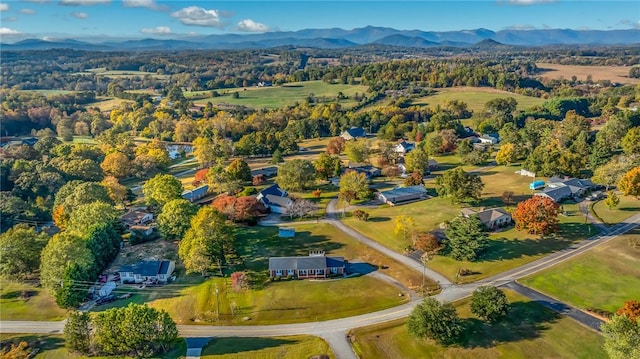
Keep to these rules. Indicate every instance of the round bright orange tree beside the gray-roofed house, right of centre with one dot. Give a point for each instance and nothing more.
(537, 215)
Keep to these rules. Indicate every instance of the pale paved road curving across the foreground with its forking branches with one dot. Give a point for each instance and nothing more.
(334, 330)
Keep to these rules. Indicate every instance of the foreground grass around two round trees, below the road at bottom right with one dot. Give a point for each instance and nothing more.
(529, 331)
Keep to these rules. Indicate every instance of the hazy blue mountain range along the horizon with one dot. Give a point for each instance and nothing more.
(340, 38)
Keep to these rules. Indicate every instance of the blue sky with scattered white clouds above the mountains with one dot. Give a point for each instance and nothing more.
(157, 18)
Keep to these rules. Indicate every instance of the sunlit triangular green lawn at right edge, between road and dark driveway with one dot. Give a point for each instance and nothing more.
(603, 278)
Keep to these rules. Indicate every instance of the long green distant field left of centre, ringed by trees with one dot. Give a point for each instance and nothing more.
(285, 95)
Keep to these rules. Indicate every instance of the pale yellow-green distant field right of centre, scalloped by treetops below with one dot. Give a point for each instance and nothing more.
(476, 97)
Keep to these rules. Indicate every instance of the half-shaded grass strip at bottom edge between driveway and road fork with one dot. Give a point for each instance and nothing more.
(290, 347)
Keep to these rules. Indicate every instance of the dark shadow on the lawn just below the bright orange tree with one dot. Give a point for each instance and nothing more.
(505, 249)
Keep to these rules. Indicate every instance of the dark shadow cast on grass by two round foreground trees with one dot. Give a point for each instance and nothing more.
(525, 321)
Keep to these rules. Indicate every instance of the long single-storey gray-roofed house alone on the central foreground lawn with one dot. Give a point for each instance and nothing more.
(316, 265)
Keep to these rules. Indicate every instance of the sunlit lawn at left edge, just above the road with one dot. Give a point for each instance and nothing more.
(40, 305)
